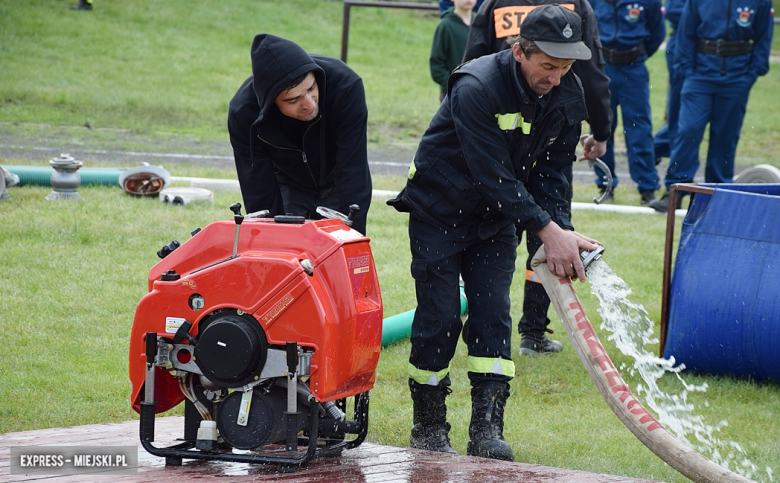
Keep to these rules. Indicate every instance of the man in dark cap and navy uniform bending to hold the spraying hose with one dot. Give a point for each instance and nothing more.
(493, 157)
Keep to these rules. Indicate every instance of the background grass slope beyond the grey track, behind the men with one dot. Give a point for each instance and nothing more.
(173, 66)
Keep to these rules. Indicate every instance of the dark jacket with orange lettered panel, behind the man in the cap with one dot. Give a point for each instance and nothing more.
(499, 19)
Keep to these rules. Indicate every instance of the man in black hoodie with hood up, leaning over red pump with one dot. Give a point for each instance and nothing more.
(298, 130)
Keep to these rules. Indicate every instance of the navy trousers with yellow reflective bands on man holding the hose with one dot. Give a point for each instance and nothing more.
(439, 259)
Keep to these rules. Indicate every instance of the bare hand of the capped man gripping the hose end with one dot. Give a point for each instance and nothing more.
(562, 248)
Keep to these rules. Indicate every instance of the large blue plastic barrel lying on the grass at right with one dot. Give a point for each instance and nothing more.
(724, 304)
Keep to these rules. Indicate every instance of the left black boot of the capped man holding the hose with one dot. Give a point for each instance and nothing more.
(431, 429)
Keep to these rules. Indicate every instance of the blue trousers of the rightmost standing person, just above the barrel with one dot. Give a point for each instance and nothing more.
(720, 103)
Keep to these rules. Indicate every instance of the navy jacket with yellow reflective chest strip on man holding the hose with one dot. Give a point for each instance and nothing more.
(489, 158)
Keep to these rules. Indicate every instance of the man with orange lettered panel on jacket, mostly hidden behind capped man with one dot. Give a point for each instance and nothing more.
(497, 21)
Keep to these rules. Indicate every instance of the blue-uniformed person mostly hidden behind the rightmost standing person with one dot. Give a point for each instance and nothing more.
(662, 142)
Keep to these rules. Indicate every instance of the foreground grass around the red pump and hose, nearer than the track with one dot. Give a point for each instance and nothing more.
(71, 275)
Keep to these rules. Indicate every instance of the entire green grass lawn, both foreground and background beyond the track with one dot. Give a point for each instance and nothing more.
(71, 274)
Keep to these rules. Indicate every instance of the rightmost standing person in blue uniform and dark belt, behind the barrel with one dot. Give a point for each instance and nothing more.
(722, 48)
